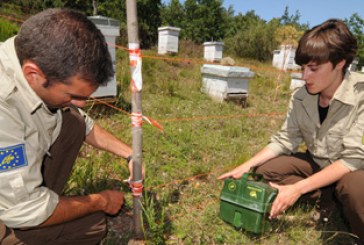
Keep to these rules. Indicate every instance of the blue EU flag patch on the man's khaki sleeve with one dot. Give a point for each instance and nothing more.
(12, 157)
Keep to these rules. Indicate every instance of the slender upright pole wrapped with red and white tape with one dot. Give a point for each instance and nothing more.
(136, 87)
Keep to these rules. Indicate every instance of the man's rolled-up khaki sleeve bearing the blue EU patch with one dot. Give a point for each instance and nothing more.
(23, 201)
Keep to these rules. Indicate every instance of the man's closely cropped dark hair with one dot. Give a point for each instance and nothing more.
(64, 43)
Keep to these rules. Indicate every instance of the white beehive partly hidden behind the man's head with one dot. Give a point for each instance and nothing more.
(110, 28)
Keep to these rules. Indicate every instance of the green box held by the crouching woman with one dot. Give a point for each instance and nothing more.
(245, 203)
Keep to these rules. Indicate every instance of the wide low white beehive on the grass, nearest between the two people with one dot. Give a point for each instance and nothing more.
(225, 82)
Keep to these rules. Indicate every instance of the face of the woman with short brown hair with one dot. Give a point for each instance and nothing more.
(321, 77)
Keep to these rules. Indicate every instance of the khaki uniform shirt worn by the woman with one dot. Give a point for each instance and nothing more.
(339, 137)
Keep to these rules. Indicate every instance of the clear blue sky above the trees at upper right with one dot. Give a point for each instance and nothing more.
(312, 12)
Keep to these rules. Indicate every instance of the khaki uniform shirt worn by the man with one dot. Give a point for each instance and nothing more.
(27, 130)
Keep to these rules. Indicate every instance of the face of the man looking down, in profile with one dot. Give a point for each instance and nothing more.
(59, 95)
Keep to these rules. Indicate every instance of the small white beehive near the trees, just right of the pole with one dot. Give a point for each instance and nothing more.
(168, 39)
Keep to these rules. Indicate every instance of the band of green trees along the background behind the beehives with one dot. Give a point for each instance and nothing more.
(244, 35)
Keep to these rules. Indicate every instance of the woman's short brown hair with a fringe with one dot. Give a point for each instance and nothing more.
(330, 41)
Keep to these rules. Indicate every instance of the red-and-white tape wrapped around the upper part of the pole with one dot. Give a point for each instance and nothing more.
(135, 57)
